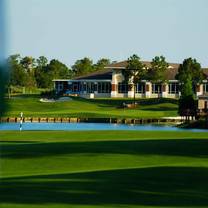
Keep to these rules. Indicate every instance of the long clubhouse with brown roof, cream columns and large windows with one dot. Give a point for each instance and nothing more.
(109, 82)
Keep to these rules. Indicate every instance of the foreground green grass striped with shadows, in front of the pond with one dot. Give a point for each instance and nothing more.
(103, 169)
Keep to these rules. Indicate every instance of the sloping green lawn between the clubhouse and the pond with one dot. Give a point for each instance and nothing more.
(99, 108)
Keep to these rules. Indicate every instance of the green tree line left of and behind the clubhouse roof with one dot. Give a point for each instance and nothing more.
(30, 72)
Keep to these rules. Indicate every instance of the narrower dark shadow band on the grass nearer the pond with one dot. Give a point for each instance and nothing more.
(171, 147)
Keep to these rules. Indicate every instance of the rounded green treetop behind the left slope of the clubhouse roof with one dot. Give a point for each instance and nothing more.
(82, 67)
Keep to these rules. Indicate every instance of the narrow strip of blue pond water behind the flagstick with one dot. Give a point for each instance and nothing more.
(91, 127)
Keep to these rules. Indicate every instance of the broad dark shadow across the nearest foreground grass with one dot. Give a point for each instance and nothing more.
(157, 186)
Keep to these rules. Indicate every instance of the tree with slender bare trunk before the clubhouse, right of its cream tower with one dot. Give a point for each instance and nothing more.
(134, 72)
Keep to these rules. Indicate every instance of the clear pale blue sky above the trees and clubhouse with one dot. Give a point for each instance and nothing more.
(73, 29)
